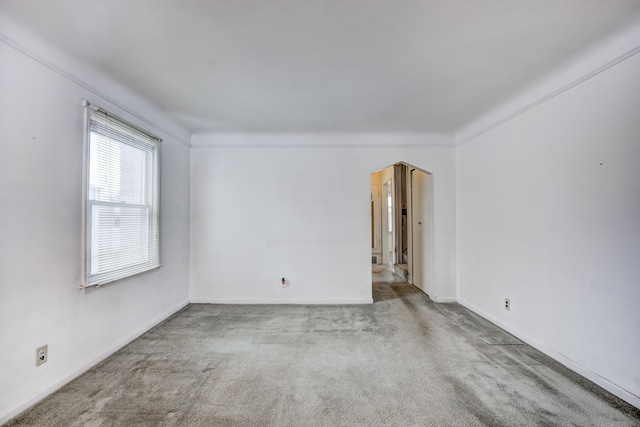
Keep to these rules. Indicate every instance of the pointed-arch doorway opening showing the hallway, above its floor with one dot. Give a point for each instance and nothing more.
(402, 223)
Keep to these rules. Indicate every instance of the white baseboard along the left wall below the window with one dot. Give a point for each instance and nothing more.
(47, 390)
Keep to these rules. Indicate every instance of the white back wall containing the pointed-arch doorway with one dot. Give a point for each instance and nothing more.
(298, 206)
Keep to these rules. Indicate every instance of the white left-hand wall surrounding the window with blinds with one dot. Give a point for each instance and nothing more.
(41, 133)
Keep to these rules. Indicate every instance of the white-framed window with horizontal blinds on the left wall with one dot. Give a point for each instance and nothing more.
(122, 233)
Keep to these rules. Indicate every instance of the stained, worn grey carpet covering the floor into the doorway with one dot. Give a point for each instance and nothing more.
(402, 361)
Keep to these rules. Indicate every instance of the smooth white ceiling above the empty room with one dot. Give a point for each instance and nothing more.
(325, 65)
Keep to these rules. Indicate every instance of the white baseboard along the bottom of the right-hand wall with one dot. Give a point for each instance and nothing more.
(592, 376)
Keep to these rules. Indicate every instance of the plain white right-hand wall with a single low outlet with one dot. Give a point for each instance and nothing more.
(548, 215)
